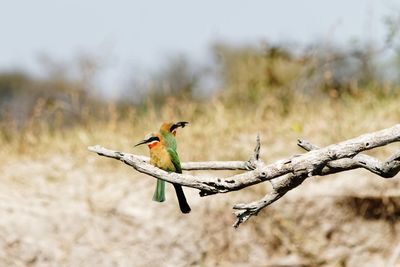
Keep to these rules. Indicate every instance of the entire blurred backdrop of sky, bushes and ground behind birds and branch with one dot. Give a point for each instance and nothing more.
(79, 73)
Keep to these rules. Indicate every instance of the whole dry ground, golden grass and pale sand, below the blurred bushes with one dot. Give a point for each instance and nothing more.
(63, 206)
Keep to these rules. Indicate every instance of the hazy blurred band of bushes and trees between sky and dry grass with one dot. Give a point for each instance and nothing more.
(256, 81)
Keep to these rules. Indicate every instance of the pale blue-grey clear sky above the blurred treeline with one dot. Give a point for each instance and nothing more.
(129, 35)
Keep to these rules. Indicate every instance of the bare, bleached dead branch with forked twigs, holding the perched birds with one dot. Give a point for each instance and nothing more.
(284, 175)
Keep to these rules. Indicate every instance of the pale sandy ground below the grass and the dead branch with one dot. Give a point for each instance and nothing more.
(58, 211)
